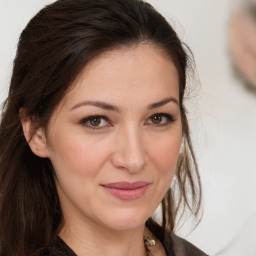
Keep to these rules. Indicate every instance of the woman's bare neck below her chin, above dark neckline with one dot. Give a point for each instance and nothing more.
(95, 240)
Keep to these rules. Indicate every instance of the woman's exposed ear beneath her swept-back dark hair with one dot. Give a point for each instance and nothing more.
(35, 138)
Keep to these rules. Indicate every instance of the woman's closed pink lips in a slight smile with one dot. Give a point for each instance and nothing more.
(126, 190)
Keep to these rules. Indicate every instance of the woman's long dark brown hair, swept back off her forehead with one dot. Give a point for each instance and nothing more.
(52, 50)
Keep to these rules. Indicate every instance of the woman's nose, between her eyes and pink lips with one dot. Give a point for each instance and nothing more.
(129, 153)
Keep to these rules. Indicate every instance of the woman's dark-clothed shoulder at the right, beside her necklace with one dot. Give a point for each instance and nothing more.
(182, 247)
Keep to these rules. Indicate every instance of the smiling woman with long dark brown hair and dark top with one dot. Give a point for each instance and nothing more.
(92, 133)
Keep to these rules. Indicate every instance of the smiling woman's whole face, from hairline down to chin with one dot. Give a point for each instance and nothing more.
(115, 138)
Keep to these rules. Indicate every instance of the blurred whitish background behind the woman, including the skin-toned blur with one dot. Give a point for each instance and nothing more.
(223, 110)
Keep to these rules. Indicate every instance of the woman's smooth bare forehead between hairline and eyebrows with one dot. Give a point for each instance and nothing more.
(137, 72)
